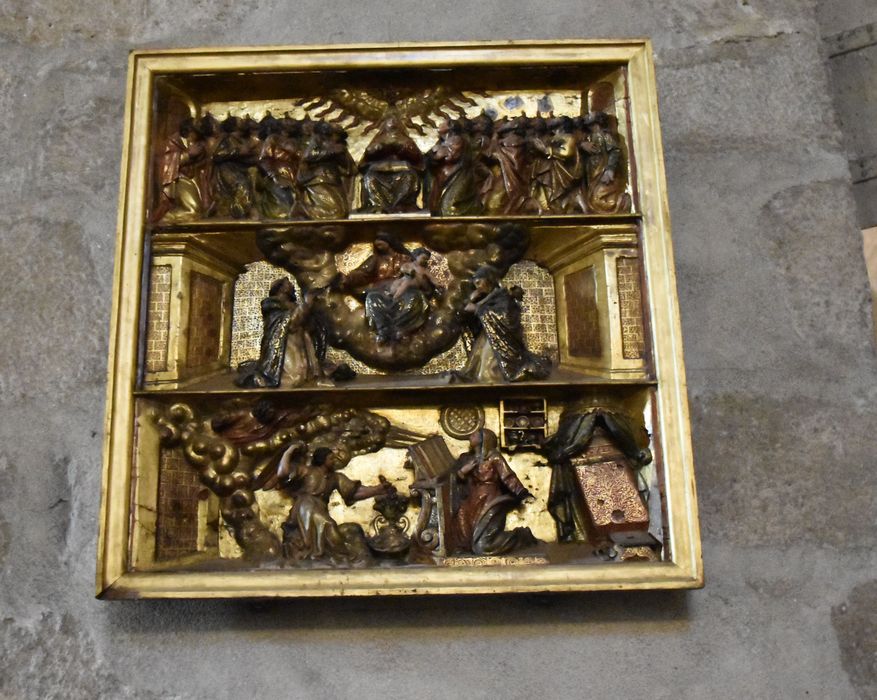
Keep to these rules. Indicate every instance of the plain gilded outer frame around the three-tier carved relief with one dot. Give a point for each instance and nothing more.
(114, 580)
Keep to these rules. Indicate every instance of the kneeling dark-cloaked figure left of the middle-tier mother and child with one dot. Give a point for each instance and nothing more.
(287, 354)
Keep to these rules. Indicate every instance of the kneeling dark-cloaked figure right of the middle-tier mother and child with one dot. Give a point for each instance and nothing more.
(498, 352)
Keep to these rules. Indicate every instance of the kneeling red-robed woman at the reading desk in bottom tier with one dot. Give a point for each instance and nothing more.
(491, 490)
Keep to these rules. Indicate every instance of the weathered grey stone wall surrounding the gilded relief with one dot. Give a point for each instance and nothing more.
(781, 369)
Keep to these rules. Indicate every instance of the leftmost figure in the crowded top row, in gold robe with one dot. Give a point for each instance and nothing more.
(179, 176)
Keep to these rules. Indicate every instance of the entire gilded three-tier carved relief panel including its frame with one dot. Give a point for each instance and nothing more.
(405, 323)
